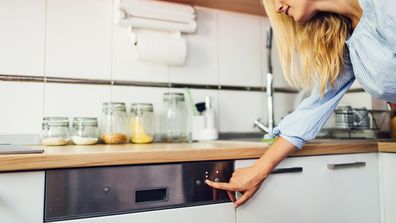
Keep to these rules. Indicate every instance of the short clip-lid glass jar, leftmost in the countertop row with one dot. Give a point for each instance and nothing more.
(55, 131)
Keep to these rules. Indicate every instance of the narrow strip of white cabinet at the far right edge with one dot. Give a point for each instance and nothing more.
(388, 187)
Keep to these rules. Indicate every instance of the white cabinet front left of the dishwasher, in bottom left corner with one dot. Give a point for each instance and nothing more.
(22, 197)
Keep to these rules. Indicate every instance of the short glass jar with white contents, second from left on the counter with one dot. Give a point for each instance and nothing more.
(85, 131)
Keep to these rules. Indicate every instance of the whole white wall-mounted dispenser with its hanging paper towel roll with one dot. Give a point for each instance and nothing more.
(157, 27)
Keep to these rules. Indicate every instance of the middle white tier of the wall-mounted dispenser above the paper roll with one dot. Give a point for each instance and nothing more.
(157, 13)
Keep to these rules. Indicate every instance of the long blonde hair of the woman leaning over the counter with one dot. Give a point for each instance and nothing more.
(312, 52)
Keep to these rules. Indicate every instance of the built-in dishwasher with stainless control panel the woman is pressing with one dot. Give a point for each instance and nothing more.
(140, 193)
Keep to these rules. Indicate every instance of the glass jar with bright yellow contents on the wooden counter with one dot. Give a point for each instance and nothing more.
(142, 123)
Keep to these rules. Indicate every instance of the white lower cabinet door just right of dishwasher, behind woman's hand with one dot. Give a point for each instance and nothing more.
(282, 198)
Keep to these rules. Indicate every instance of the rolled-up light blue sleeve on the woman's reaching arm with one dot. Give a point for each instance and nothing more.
(305, 122)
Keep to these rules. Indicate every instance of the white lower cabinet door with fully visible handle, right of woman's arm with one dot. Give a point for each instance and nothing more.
(346, 189)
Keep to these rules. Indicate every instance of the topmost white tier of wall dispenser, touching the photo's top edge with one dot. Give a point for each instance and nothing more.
(168, 6)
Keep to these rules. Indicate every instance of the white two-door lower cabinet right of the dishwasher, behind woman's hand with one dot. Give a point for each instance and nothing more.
(347, 193)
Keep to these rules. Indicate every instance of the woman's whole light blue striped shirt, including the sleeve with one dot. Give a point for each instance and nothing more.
(370, 59)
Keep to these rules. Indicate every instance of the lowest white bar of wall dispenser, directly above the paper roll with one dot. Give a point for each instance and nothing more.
(155, 24)
